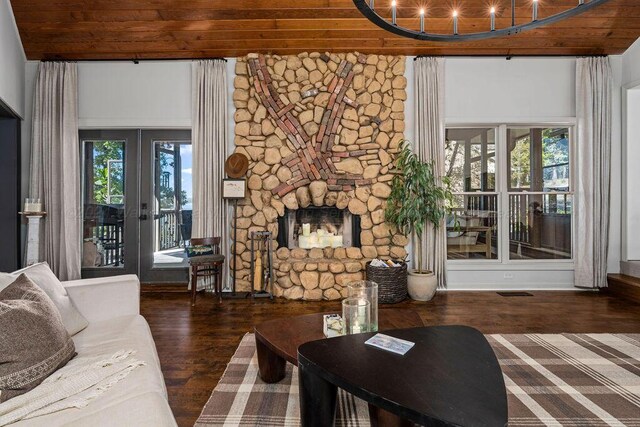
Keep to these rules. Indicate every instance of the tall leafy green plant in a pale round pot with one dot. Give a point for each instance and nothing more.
(419, 197)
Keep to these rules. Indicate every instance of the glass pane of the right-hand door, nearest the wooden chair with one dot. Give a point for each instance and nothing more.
(173, 203)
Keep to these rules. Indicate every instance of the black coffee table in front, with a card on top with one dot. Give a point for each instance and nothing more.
(451, 377)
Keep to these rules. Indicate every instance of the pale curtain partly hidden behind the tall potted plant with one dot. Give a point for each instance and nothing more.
(429, 146)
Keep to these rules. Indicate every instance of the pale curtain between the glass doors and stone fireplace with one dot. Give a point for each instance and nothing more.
(209, 140)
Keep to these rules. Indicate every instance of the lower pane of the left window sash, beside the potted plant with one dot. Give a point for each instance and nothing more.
(472, 227)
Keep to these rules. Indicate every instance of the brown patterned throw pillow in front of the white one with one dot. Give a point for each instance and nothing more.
(35, 342)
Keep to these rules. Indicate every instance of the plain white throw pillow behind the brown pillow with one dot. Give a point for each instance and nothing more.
(42, 276)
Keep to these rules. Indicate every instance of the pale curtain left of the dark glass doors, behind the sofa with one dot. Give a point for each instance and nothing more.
(55, 165)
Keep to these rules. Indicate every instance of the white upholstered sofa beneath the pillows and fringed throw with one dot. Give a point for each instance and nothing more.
(112, 307)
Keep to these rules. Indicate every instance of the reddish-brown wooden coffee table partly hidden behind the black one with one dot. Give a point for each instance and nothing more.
(277, 340)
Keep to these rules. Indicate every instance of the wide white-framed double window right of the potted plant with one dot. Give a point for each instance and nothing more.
(520, 208)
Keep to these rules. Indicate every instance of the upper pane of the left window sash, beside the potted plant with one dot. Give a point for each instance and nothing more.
(470, 159)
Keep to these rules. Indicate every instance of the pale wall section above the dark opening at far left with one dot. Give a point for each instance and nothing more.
(12, 60)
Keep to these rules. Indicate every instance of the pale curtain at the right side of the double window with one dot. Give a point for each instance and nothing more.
(594, 86)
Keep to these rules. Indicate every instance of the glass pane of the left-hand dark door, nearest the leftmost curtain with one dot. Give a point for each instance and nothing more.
(103, 200)
